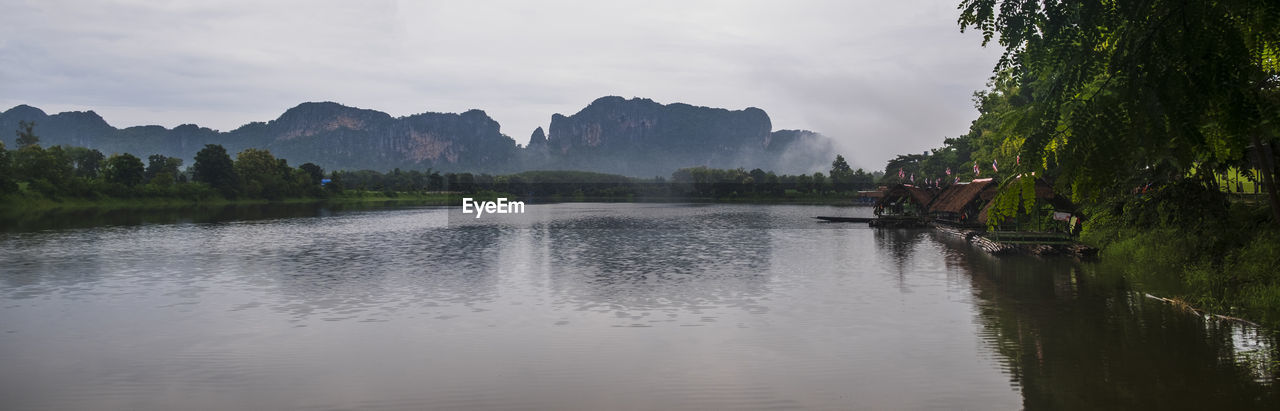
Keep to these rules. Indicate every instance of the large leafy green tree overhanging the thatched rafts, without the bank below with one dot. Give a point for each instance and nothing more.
(1105, 92)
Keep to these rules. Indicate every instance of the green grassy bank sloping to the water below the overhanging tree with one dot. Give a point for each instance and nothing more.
(1227, 262)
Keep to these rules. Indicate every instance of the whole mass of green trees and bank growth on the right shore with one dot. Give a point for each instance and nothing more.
(1135, 108)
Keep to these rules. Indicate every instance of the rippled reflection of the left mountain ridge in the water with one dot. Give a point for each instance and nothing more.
(371, 270)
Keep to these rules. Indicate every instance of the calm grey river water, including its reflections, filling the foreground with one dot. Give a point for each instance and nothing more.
(587, 307)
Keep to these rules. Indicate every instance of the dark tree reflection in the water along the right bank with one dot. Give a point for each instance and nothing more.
(1084, 341)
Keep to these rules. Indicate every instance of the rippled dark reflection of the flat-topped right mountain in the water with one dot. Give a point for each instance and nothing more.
(636, 267)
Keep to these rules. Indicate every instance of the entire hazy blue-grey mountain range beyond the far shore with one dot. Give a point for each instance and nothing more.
(612, 135)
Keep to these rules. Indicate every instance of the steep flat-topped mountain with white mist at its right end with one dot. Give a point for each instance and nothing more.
(643, 138)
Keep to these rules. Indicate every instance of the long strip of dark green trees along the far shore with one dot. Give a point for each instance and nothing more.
(84, 173)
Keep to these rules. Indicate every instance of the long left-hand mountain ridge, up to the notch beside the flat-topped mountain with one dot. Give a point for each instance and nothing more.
(326, 134)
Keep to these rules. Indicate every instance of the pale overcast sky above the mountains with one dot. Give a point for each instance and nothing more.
(879, 77)
